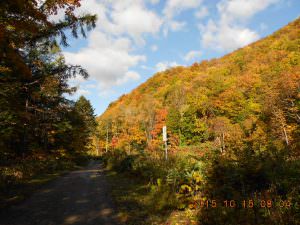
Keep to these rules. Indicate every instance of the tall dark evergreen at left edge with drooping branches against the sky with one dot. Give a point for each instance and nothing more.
(34, 76)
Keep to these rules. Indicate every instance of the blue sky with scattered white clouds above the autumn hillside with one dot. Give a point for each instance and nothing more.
(134, 39)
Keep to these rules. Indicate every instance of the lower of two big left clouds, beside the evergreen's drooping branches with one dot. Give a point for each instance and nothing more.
(107, 60)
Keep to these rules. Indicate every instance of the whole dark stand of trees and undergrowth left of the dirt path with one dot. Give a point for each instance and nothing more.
(41, 130)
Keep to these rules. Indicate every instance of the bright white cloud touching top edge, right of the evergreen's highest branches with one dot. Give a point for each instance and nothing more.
(123, 17)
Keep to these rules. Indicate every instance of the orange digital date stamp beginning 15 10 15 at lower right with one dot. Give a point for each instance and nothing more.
(246, 204)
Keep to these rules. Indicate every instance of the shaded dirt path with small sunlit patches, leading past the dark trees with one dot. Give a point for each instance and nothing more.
(79, 198)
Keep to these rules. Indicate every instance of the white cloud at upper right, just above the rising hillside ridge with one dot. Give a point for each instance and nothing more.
(229, 32)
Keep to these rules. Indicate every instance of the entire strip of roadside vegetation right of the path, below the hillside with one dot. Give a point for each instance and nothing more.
(206, 189)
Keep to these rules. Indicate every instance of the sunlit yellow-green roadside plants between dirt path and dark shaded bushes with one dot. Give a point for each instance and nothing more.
(152, 191)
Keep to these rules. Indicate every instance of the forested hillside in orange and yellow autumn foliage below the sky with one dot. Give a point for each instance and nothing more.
(247, 99)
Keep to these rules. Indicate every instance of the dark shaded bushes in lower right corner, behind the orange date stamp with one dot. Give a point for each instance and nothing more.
(252, 176)
